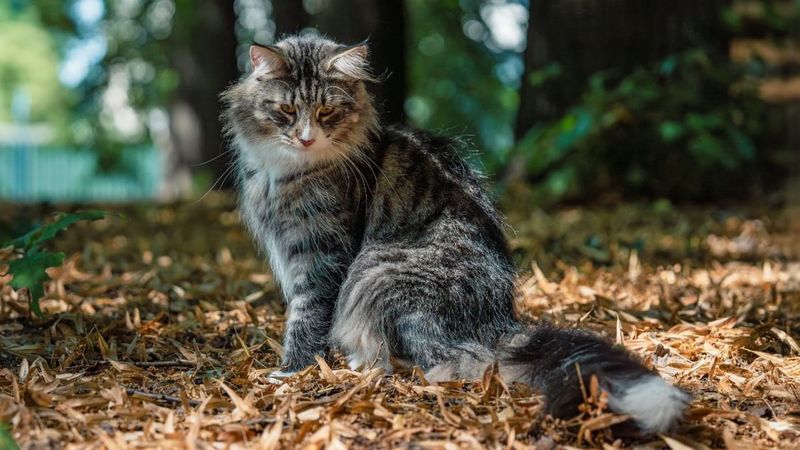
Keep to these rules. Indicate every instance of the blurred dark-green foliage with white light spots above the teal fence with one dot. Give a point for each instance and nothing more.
(132, 81)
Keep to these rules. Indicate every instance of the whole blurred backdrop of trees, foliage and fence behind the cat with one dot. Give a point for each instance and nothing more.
(567, 101)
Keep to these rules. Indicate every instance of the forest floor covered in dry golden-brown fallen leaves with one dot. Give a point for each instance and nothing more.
(160, 331)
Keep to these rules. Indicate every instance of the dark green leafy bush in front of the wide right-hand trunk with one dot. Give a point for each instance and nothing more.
(690, 128)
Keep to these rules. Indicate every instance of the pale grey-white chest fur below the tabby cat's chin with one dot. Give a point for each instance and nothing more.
(292, 220)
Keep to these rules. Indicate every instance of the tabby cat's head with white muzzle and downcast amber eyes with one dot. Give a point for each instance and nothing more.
(304, 102)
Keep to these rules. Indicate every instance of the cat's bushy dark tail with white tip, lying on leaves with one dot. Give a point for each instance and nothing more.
(547, 358)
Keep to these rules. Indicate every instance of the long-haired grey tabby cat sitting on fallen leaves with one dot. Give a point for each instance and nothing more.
(386, 245)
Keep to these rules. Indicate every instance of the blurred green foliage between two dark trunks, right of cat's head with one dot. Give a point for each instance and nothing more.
(454, 87)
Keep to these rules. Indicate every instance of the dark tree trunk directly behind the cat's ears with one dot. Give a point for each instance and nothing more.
(384, 24)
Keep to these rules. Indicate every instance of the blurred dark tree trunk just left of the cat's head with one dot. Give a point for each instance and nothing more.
(203, 52)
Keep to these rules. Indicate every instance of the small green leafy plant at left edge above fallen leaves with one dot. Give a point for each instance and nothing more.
(30, 270)
